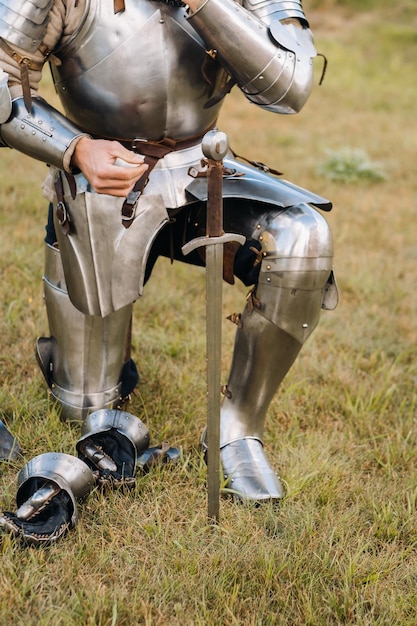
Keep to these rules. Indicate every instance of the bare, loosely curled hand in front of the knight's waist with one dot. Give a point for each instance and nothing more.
(96, 158)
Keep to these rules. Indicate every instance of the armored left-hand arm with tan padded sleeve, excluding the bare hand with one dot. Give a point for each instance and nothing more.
(28, 123)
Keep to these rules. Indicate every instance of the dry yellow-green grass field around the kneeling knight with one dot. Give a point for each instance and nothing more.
(342, 547)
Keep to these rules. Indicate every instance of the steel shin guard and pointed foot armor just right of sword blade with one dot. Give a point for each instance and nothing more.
(262, 357)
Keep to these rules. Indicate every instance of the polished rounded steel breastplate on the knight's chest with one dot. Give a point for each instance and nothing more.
(137, 74)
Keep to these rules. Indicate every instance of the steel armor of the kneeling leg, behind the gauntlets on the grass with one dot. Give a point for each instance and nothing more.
(83, 360)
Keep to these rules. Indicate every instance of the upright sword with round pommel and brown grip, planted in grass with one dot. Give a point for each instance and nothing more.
(215, 145)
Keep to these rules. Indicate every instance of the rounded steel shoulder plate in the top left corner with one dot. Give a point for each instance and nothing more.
(23, 22)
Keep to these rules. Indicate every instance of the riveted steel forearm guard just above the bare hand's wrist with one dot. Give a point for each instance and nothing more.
(44, 133)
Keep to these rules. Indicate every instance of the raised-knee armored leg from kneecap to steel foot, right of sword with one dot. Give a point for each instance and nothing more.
(297, 253)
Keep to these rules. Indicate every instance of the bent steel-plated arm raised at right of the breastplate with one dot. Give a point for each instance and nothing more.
(265, 45)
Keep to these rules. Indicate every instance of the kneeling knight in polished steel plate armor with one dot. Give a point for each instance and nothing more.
(141, 82)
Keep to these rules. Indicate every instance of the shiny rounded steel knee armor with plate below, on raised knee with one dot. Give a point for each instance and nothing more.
(295, 278)
